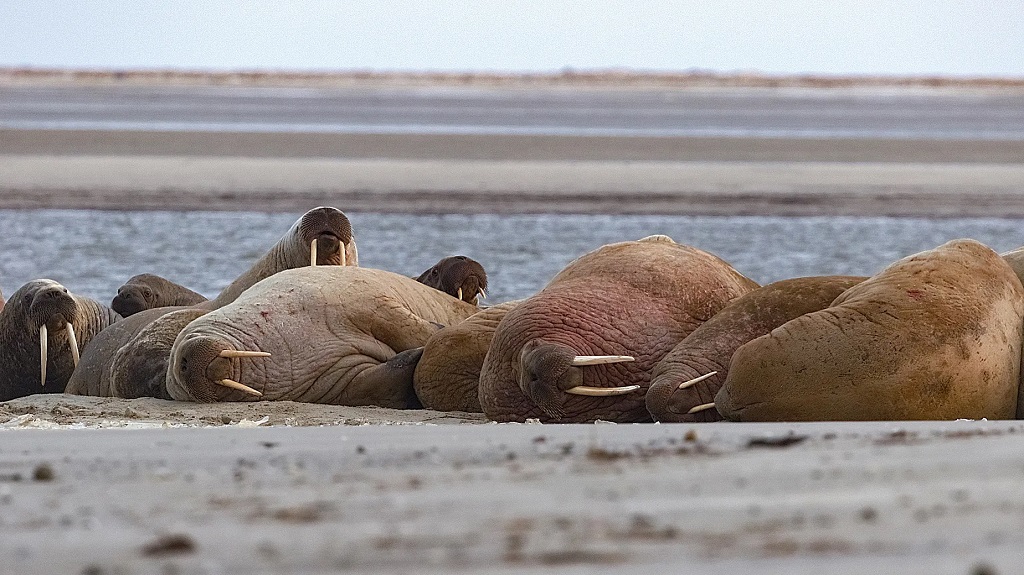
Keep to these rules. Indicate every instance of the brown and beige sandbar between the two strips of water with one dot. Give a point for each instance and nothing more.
(124, 170)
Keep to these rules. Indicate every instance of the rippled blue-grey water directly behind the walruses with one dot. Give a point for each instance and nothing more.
(94, 253)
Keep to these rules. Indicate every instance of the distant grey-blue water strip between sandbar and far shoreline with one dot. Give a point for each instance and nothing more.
(847, 114)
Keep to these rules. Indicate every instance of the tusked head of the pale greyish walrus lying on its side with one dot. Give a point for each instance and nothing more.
(205, 366)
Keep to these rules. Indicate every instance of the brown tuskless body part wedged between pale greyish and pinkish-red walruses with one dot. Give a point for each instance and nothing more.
(448, 376)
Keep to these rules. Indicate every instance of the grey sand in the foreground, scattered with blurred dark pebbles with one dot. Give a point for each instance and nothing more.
(908, 498)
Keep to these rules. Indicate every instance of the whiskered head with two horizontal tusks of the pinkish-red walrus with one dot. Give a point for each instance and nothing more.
(549, 371)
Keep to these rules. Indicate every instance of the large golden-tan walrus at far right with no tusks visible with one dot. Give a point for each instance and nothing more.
(935, 336)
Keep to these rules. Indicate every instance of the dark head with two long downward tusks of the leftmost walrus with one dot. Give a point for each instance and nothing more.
(47, 309)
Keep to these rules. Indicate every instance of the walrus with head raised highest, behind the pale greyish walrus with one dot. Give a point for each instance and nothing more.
(323, 236)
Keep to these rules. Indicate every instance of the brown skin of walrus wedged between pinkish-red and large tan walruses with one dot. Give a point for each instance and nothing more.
(711, 346)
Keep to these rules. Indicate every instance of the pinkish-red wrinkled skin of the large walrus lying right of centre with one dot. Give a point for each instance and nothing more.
(636, 298)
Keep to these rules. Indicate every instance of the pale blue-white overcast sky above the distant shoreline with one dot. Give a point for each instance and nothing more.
(904, 37)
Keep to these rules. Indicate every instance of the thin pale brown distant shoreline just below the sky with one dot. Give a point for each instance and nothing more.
(607, 79)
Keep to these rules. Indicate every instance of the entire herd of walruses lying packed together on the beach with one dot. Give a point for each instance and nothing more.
(644, 331)
